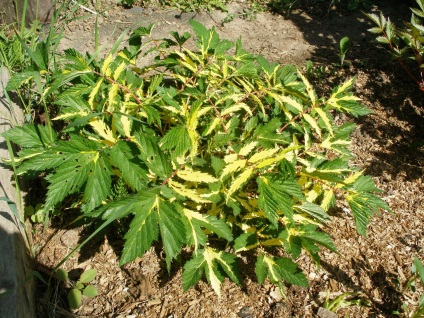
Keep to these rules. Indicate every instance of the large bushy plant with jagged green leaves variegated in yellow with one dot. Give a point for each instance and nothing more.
(220, 152)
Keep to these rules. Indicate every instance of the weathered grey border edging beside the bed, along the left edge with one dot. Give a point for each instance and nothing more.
(15, 262)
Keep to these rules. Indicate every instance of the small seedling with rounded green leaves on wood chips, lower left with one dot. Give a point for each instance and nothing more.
(79, 288)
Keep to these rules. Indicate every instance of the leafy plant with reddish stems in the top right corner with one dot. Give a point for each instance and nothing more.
(404, 43)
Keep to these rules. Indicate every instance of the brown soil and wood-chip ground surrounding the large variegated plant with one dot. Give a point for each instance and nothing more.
(388, 145)
